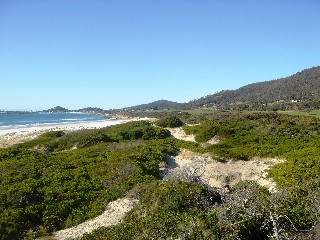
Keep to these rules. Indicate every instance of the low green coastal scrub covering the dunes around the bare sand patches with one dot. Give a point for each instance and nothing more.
(61, 179)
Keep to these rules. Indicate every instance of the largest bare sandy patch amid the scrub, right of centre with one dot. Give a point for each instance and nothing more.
(220, 174)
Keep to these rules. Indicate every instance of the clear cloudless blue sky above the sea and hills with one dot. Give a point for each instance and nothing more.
(115, 53)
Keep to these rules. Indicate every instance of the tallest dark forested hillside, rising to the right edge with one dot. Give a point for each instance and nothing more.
(299, 91)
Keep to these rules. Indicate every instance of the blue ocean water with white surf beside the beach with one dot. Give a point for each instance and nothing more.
(36, 119)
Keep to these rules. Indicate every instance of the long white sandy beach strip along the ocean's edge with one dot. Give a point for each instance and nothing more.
(9, 137)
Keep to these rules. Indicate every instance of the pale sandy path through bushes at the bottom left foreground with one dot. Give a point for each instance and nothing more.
(113, 215)
